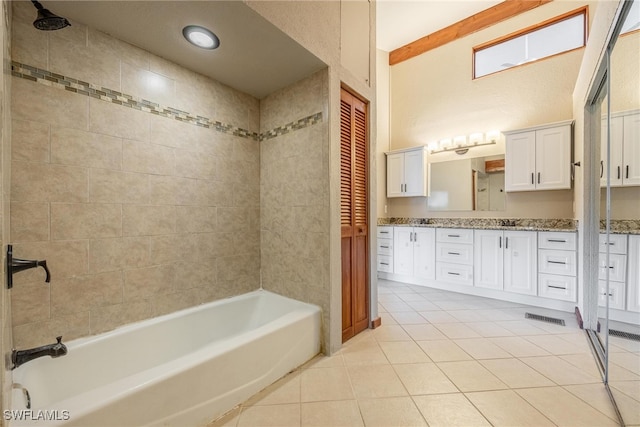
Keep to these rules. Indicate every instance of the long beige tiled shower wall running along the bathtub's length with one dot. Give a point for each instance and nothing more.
(139, 209)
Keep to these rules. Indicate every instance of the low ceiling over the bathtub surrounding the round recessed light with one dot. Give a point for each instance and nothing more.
(254, 56)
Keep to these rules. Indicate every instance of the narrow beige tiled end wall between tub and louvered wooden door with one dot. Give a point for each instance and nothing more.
(294, 195)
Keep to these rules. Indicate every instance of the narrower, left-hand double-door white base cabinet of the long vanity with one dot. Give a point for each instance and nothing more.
(414, 252)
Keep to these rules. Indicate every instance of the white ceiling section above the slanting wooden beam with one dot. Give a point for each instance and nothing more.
(400, 22)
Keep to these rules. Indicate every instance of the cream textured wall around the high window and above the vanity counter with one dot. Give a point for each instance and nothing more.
(433, 96)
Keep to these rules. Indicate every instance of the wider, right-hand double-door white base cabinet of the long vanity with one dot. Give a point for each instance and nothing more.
(505, 260)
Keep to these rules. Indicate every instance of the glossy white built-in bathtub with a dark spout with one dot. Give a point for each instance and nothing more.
(183, 369)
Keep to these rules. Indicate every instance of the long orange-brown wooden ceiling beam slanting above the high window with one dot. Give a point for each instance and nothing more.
(479, 21)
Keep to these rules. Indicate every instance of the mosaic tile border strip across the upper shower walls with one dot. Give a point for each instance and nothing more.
(80, 87)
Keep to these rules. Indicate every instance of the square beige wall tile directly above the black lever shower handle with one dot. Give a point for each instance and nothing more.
(29, 222)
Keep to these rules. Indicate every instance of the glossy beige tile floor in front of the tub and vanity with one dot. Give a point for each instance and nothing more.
(447, 359)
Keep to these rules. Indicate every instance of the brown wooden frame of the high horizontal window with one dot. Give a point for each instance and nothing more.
(584, 11)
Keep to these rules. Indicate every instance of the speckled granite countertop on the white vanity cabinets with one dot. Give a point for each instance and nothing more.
(519, 224)
